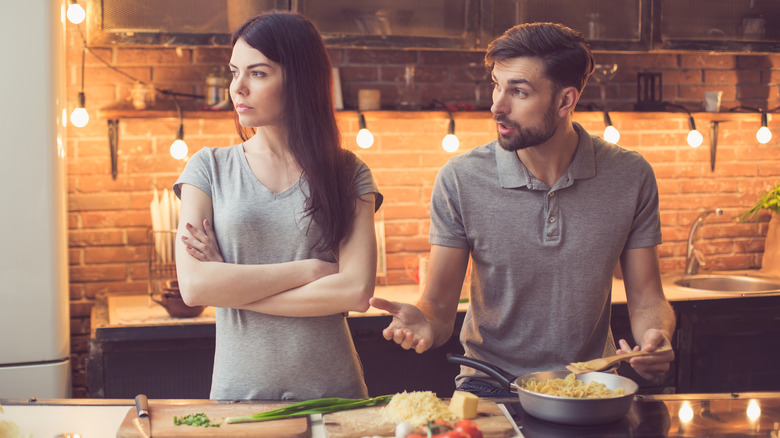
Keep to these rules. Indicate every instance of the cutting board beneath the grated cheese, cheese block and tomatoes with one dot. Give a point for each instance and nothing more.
(369, 422)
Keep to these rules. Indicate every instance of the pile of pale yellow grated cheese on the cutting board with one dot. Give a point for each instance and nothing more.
(417, 407)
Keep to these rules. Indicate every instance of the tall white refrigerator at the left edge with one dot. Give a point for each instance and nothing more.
(34, 298)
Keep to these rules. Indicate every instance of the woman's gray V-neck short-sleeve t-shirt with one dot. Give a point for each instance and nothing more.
(260, 356)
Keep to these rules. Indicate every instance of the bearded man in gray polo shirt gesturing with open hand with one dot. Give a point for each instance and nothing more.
(546, 212)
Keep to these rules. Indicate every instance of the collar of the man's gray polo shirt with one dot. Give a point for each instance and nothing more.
(512, 173)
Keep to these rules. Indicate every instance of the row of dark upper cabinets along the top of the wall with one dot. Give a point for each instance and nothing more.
(628, 25)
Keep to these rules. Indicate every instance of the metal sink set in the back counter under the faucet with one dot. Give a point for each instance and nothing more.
(738, 283)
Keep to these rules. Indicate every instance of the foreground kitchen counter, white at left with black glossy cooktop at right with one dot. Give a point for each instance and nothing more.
(689, 415)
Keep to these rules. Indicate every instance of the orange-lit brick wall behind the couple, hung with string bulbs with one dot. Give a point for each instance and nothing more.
(109, 219)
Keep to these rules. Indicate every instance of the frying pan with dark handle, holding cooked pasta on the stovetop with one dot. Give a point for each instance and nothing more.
(564, 410)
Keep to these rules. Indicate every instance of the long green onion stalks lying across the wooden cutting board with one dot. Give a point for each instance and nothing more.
(308, 407)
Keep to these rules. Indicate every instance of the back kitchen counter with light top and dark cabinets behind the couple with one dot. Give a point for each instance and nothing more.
(724, 342)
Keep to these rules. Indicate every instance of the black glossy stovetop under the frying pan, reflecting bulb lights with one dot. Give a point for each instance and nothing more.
(736, 415)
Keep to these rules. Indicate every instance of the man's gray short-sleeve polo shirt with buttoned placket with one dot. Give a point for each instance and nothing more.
(542, 256)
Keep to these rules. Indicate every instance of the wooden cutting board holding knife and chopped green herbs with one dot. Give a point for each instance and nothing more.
(162, 414)
